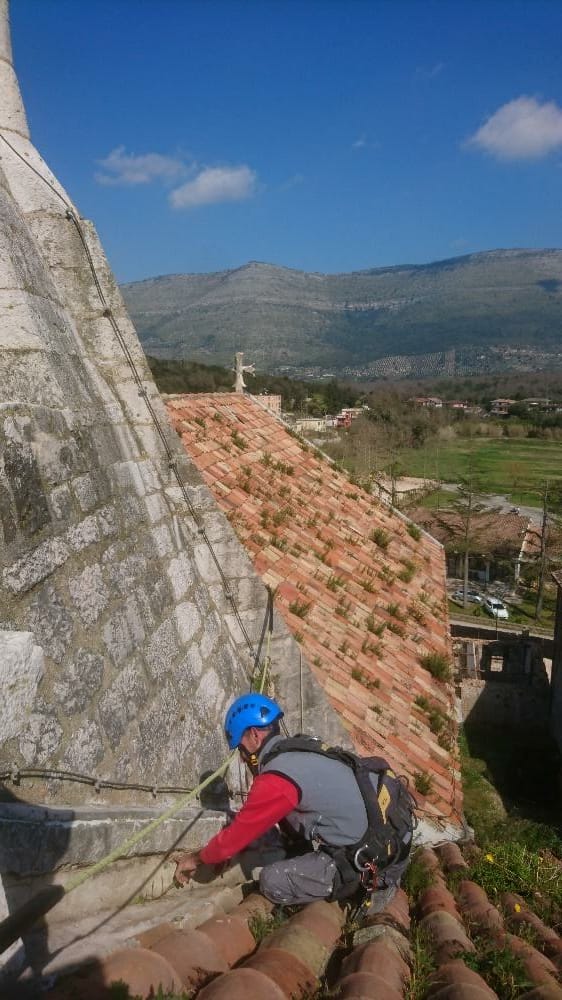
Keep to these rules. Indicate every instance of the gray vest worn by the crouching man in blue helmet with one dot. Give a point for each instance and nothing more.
(331, 808)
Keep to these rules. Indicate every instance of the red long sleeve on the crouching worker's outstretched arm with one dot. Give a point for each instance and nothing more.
(270, 799)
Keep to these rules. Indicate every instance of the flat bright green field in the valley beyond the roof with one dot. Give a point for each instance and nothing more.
(509, 466)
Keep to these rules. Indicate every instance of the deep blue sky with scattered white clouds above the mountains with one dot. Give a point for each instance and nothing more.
(320, 135)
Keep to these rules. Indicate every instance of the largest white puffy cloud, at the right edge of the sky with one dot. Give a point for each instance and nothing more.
(522, 129)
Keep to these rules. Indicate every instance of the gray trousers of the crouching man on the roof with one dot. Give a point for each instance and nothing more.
(311, 876)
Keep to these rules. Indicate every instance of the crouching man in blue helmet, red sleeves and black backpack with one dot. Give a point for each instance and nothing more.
(351, 818)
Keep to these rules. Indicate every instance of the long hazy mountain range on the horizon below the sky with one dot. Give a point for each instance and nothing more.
(494, 311)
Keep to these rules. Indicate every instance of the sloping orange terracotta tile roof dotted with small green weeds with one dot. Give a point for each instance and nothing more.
(309, 535)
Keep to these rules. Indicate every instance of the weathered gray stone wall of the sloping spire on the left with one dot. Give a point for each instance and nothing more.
(120, 647)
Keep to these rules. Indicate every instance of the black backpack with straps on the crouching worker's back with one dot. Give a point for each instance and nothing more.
(389, 805)
